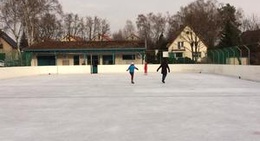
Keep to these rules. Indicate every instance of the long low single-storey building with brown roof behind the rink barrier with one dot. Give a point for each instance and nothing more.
(86, 52)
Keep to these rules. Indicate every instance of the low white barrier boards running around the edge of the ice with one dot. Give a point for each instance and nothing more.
(239, 71)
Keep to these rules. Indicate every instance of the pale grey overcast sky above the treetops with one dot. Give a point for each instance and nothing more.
(118, 11)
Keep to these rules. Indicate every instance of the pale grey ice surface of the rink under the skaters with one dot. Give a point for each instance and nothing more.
(107, 107)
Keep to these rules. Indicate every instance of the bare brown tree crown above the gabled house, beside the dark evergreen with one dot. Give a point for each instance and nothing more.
(204, 19)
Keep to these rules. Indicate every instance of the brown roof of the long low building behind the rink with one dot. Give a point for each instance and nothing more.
(86, 45)
